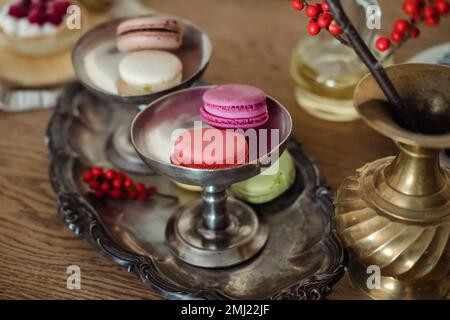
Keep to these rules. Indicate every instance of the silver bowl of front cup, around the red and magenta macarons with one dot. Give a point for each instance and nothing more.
(152, 128)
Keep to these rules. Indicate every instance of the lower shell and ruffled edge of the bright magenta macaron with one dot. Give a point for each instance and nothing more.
(233, 123)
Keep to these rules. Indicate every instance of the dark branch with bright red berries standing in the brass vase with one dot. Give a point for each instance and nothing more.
(330, 15)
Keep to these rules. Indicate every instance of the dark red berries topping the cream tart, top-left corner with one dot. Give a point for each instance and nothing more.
(40, 11)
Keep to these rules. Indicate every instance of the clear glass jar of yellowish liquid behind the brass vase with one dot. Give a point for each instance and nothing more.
(326, 71)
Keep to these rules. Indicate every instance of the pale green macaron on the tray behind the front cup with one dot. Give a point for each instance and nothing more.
(264, 188)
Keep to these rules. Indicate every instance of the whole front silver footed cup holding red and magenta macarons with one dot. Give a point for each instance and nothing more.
(215, 231)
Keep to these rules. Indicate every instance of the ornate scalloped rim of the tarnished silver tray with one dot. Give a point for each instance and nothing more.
(80, 217)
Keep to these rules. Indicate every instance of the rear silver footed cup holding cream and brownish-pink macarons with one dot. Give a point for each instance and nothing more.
(96, 59)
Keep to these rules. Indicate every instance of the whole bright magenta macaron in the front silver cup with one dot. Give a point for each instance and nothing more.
(234, 106)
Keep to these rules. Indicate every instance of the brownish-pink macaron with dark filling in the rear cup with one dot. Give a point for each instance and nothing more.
(153, 32)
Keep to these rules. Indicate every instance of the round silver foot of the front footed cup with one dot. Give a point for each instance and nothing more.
(192, 242)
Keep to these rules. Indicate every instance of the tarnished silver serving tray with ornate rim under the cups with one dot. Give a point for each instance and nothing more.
(303, 258)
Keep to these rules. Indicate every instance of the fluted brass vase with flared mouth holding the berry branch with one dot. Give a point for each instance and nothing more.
(394, 213)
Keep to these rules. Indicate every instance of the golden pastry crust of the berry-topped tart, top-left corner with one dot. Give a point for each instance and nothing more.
(42, 45)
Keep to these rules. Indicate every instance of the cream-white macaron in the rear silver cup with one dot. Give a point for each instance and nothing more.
(148, 71)
